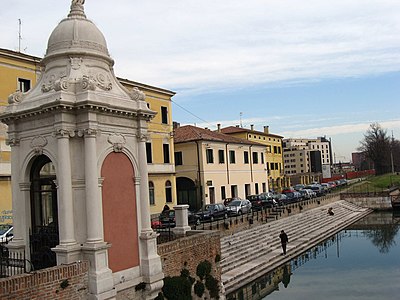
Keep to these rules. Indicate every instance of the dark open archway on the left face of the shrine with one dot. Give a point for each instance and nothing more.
(44, 215)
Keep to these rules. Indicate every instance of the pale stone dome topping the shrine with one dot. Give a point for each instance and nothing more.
(77, 35)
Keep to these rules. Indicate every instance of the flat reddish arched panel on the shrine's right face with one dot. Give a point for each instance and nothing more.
(120, 212)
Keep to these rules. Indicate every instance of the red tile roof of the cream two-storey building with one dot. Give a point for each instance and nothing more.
(189, 133)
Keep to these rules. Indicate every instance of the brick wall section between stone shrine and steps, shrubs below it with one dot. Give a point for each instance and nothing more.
(189, 251)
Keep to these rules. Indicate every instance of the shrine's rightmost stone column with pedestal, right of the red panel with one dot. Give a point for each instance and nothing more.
(150, 261)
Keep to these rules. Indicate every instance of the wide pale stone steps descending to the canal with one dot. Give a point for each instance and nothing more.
(248, 254)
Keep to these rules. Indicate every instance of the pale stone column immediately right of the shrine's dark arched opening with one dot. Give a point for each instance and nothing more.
(68, 250)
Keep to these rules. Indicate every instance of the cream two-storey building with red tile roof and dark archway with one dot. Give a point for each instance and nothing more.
(213, 166)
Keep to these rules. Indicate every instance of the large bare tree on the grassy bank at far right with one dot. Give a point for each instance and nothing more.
(377, 147)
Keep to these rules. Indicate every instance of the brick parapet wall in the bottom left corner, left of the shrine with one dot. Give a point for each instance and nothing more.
(65, 282)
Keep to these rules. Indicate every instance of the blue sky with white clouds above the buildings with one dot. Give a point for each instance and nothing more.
(306, 68)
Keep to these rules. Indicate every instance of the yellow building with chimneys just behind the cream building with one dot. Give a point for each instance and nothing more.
(273, 153)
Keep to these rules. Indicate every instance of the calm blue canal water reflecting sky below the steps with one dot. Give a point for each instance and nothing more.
(361, 262)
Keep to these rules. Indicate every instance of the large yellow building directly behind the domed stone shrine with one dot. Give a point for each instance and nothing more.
(20, 71)
